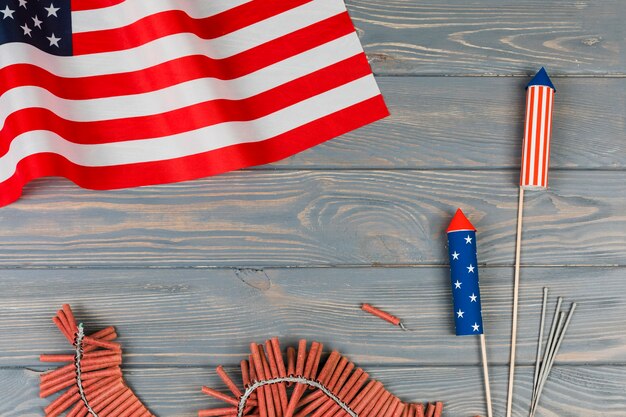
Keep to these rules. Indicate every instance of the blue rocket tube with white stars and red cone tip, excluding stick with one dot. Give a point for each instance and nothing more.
(468, 316)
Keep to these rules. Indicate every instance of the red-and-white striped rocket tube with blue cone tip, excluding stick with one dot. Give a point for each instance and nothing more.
(536, 148)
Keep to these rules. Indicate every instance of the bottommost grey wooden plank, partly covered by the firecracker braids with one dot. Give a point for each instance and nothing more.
(572, 391)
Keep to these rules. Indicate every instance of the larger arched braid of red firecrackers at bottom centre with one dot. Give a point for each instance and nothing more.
(306, 387)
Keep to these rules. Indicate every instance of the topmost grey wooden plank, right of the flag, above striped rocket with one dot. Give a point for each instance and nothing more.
(492, 37)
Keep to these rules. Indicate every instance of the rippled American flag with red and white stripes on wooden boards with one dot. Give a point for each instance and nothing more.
(114, 94)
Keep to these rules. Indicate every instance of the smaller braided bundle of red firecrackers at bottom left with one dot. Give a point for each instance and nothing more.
(92, 378)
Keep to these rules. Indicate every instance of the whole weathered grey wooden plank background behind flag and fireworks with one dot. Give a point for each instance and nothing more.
(190, 273)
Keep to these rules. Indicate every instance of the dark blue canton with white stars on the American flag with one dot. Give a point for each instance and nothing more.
(42, 23)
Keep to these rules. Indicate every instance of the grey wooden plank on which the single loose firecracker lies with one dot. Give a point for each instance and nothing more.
(208, 317)
